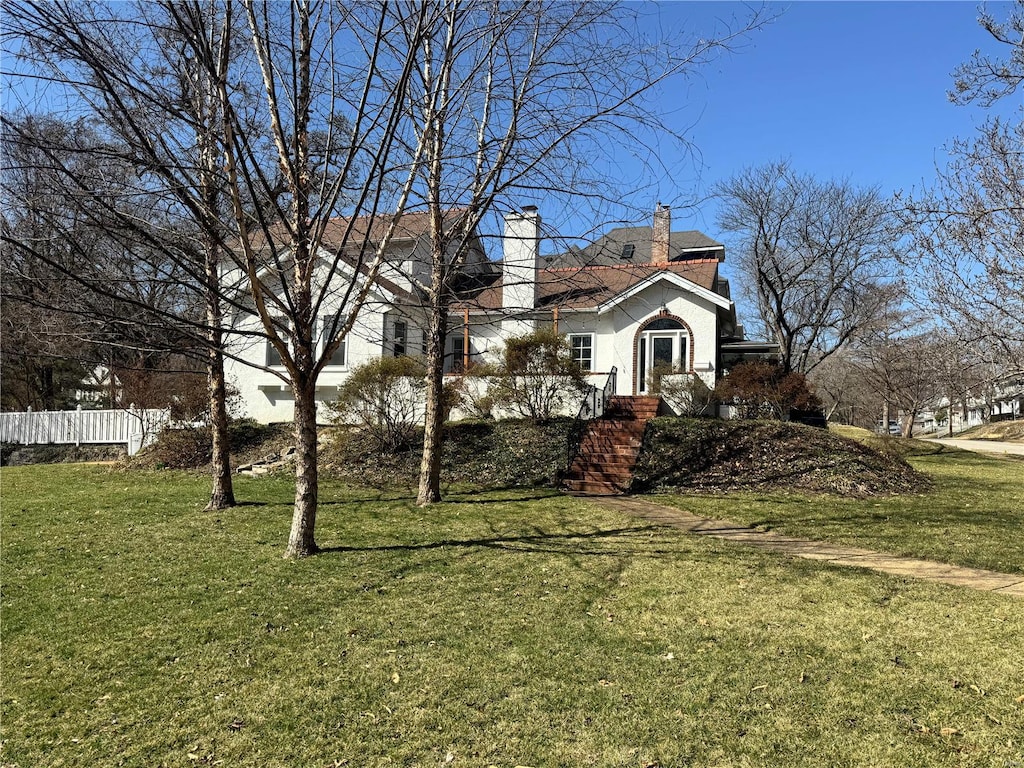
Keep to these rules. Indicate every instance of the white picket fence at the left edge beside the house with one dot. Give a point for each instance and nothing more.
(134, 428)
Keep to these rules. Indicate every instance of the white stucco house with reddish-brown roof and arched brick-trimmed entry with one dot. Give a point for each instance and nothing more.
(637, 298)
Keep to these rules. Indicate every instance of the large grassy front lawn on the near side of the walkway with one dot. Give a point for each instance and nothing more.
(497, 629)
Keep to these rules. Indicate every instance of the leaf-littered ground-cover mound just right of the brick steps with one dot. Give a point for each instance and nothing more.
(717, 456)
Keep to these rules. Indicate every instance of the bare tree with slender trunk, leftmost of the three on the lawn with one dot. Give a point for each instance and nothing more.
(125, 70)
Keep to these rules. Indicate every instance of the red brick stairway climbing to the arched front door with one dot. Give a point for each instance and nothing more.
(610, 448)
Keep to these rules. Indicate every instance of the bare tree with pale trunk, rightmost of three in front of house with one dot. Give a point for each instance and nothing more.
(511, 102)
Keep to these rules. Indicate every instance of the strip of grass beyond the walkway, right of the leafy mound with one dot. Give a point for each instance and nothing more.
(974, 516)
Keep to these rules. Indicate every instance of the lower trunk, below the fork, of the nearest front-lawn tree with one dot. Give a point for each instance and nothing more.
(301, 542)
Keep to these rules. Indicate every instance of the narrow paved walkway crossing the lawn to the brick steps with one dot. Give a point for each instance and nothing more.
(987, 581)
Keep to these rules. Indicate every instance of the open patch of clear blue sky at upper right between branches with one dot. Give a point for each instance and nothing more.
(851, 91)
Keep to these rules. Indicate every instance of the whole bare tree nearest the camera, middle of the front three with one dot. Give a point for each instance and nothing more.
(262, 122)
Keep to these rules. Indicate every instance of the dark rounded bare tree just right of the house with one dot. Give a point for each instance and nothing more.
(817, 258)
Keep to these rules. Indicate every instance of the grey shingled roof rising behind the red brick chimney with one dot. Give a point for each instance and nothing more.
(632, 245)
